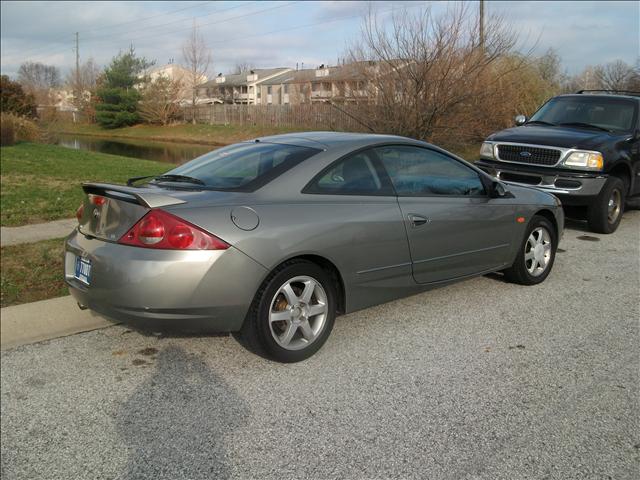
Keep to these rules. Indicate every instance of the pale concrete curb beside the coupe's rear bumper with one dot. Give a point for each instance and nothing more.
(44, 320)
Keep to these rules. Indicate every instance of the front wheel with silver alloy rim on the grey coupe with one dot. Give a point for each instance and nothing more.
(524, 270)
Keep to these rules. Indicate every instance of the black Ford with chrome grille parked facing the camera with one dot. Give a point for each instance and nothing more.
(584, 148)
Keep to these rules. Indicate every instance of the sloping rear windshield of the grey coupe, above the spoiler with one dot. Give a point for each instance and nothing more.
(244, 166)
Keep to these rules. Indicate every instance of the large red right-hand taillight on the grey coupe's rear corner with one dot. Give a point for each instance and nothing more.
(160, 229)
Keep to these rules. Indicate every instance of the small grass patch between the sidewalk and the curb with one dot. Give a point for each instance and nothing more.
(32, 272)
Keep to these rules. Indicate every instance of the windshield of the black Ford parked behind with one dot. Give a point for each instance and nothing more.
(582, 111)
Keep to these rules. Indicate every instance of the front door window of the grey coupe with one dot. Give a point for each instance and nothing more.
(418, 171)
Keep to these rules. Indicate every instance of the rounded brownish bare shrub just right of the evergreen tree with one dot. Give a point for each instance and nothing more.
(160, 100)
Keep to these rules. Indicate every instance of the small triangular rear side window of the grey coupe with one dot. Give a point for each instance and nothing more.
(355, 175)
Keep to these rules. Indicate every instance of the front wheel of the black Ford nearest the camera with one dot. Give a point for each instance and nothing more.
(605, 213)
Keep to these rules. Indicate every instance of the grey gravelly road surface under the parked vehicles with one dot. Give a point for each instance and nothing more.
(477, 380)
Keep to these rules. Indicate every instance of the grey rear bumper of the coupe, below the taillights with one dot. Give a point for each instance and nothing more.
(194, 291)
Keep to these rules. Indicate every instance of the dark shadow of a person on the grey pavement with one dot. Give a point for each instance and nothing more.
(175, 423)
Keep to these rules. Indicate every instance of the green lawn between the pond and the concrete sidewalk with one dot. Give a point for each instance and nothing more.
(40, 183)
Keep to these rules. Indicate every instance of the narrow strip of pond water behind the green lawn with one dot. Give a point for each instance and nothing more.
(168, 152)
